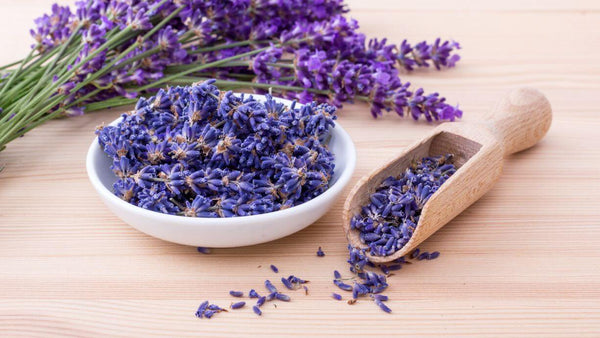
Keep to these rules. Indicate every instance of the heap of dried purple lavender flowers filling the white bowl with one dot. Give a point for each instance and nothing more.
(198, 152)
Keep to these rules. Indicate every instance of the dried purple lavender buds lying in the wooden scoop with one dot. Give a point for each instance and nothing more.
(387, 223)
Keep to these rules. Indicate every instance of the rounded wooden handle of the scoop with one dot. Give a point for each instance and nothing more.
(520, 119)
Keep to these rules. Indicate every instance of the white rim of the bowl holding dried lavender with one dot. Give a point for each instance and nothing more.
(331, 192)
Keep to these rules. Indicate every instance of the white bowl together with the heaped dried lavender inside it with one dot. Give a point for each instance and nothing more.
(198, 166)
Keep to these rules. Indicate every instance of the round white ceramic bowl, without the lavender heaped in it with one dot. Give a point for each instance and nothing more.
(225, 232)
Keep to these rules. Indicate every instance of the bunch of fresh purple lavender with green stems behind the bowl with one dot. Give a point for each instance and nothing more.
(105, 53)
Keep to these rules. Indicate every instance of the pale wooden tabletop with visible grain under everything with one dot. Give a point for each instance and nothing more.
(524, 260)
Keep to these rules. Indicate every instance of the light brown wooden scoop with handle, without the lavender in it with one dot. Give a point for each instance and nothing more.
(516, 123)
